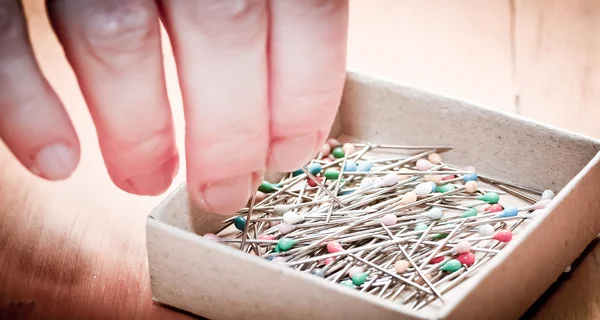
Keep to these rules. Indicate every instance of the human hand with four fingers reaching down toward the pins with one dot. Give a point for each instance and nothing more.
(261, 82)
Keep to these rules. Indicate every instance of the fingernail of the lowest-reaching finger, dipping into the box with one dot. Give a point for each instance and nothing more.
(228, 195)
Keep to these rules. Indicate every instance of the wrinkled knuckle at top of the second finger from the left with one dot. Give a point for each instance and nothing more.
(126, 27)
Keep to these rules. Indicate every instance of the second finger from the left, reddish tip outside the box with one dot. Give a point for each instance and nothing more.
(114, 48)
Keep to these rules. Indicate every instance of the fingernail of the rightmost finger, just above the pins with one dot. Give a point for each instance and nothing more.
(288, 154)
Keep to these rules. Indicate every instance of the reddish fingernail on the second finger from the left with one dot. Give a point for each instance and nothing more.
(155, 182)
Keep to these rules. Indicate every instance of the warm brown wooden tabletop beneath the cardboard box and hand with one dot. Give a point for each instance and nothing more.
(76, 249)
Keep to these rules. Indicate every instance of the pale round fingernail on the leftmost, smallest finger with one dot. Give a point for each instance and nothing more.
(55, 162)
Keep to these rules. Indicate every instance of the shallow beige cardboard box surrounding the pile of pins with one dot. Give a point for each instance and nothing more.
(219, 282)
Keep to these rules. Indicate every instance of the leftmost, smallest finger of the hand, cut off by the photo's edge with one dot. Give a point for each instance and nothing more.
(33, 122)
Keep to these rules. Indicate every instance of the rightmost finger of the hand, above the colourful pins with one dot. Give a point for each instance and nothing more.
(307, 61)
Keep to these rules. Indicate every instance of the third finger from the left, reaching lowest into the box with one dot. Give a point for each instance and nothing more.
(220, 49)
